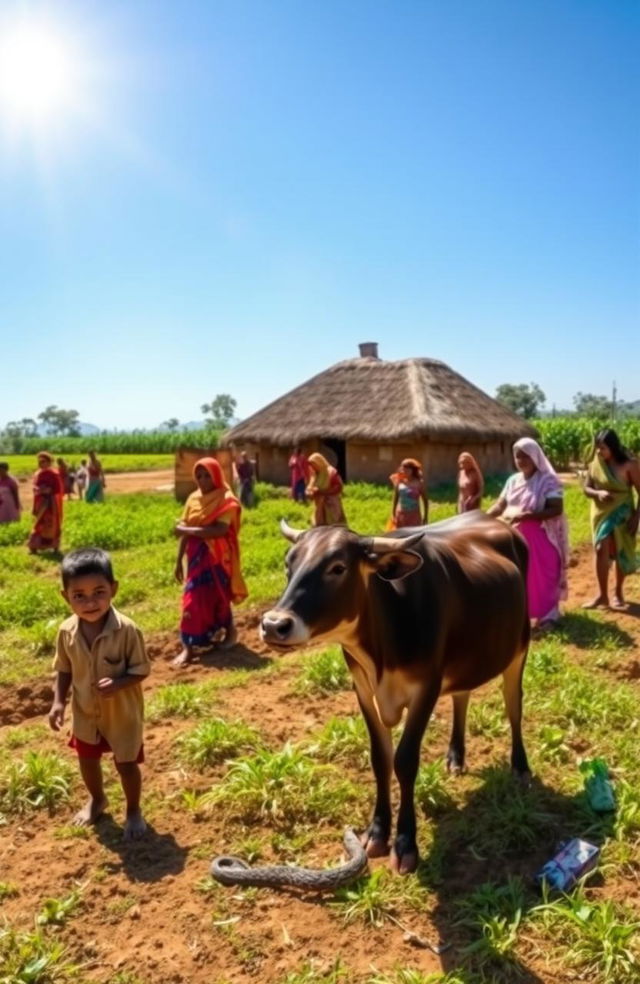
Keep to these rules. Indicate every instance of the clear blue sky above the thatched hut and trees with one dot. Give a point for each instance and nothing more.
(252, 188)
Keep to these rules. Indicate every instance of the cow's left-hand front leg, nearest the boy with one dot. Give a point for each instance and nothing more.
(376, 837)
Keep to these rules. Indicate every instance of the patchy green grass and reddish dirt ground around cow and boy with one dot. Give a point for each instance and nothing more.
(266, 757)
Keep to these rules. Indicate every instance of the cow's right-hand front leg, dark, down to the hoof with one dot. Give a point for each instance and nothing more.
(404, 857)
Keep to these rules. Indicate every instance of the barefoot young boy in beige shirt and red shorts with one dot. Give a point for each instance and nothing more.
(100, 655)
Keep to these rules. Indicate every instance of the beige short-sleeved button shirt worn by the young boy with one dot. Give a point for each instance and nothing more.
(118, 650)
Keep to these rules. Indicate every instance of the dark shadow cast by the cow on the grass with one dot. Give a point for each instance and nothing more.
(482, 866)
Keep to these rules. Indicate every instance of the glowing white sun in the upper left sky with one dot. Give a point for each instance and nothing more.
(38, 73)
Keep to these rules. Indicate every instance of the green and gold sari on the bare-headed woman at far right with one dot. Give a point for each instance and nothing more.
(610, 519)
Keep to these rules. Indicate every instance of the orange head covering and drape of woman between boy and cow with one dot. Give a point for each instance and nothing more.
(204, 508)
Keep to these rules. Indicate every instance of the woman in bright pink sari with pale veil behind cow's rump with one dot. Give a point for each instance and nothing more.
(532, 501)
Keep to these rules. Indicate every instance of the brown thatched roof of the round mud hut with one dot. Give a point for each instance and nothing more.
(369, 399)
